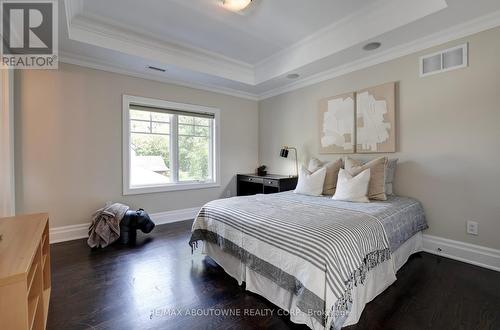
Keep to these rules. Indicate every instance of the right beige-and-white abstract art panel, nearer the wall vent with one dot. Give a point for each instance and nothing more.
(375, 119)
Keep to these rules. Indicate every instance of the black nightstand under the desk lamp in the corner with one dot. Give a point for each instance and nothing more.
(251, 184)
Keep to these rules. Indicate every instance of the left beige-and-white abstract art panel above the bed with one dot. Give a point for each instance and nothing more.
(337, 125)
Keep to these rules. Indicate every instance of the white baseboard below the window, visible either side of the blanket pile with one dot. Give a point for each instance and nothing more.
(69, 233)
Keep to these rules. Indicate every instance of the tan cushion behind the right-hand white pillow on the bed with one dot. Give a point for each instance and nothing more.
(376, 189)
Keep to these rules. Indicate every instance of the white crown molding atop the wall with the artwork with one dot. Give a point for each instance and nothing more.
(463, 30)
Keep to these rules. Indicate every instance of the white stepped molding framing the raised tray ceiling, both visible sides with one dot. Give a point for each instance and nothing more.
(369, 22)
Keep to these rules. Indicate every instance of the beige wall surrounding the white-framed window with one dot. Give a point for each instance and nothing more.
(68, 130)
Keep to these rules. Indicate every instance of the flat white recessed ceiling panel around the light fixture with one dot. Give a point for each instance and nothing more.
(272, 26)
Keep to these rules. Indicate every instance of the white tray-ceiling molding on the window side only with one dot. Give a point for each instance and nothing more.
(104, 32)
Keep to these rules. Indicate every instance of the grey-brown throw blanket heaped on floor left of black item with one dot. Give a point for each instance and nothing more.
(105, 227)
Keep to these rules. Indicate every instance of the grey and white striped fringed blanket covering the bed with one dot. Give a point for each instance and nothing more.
(314, 247)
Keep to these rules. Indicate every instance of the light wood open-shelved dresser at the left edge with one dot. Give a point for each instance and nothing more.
(24, 272)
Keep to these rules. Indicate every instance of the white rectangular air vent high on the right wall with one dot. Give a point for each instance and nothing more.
(446, 60)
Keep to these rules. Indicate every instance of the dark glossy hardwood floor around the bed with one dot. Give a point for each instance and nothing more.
(145, 286)
